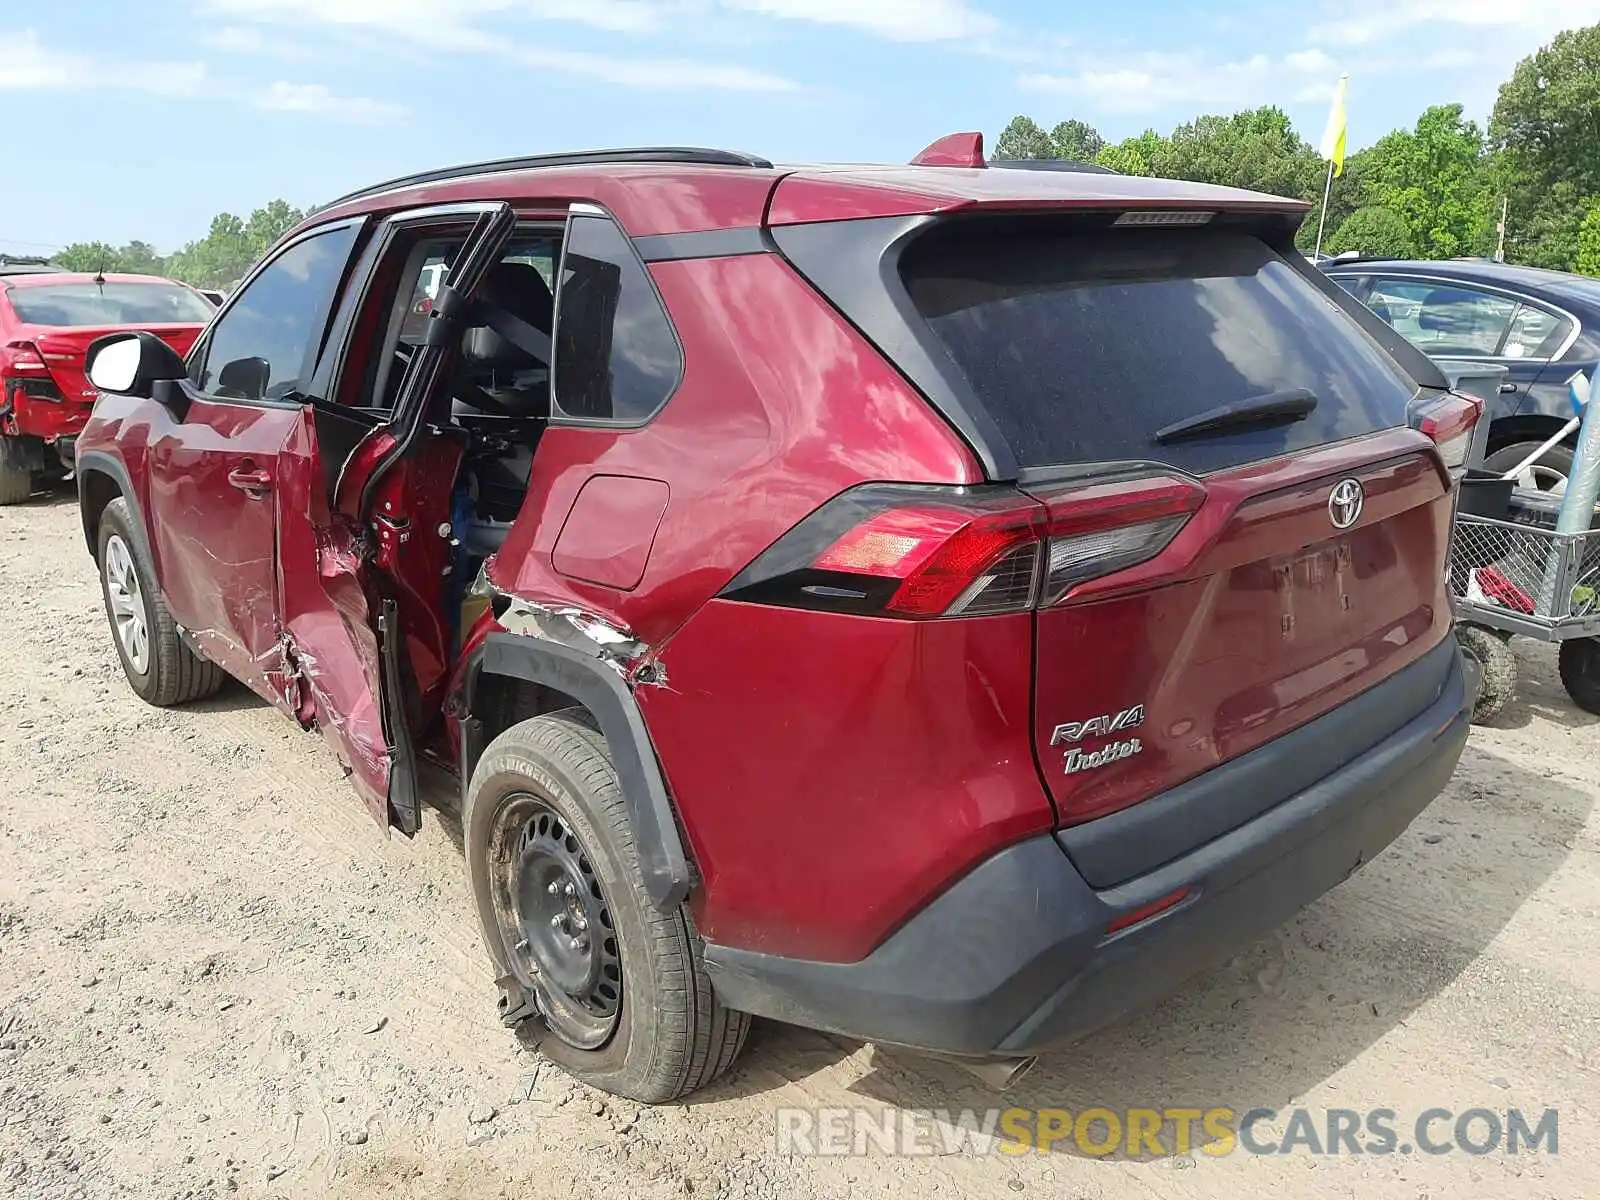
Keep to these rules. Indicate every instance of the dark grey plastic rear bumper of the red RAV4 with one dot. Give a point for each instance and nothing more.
(1015, 959)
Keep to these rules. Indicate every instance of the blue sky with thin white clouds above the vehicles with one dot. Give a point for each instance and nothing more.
(145, 119)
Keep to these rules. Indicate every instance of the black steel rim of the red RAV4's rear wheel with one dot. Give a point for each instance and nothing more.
(556, 922)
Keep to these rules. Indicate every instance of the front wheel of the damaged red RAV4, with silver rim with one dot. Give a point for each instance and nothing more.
(159, 665)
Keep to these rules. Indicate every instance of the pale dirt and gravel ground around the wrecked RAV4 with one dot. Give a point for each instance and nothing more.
(220, 977)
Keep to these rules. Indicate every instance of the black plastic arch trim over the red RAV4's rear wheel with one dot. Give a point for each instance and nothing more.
(602, 690)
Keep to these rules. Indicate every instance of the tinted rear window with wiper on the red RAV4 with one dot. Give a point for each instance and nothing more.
(1082, 345)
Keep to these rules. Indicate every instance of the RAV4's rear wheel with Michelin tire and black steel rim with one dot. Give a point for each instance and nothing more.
(625, 999)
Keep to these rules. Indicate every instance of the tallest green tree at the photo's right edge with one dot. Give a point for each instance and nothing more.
(1548, 135)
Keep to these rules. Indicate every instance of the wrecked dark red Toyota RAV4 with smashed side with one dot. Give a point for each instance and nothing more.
(938, 604)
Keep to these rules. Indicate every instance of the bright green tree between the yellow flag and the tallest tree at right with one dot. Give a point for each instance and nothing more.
(1434, 178)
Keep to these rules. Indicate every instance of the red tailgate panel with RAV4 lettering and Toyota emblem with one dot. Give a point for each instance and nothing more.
(1279, 620)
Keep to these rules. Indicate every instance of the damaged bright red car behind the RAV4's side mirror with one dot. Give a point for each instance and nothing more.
(47, 321)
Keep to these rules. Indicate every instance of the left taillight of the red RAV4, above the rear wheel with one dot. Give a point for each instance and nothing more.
(937, 553)
